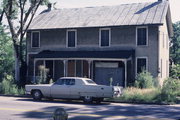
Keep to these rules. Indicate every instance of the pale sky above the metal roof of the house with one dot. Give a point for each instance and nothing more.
(174, 5)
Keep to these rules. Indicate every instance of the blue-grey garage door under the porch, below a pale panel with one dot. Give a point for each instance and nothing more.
(103, 75)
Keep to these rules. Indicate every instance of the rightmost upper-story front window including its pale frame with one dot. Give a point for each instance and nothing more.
(142, 35)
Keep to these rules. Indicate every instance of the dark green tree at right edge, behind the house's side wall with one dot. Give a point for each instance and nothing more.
(175, 48)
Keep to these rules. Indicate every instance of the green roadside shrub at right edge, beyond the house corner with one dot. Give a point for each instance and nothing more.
(170, 90)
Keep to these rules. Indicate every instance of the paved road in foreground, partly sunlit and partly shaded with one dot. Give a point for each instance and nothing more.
(24, 108)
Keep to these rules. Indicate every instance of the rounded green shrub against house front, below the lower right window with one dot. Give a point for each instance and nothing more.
(144, 80)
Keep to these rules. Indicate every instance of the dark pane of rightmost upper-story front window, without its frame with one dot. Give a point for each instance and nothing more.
(142, 36)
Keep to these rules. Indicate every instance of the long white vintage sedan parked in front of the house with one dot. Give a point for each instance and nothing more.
(73, 88)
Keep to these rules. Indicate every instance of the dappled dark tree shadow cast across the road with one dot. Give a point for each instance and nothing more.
(80, 111)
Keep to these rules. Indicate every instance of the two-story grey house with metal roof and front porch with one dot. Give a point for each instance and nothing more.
(114, 42)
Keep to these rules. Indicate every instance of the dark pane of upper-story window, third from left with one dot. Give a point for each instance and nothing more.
(104, 37)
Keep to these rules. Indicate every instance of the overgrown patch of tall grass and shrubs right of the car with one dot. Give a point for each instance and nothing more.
(146, 90)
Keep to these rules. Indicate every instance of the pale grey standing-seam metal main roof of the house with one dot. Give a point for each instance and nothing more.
(125, 14)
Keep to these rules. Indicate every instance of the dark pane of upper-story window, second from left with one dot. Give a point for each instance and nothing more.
(71, 38)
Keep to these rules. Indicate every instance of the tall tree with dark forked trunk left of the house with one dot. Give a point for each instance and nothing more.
(19, 15)
